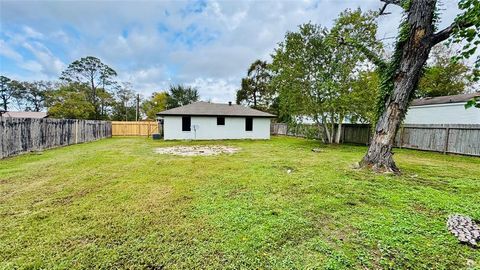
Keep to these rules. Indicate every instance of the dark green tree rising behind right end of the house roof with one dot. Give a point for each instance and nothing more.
(254, 90)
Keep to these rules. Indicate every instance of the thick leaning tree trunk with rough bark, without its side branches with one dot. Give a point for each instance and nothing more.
(413, 53)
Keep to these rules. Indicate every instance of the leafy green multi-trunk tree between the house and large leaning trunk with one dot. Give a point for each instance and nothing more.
(314, 75)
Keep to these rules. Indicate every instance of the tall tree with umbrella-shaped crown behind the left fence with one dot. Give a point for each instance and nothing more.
(95, 75)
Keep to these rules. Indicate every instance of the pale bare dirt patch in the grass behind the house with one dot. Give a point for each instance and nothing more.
(197, 150)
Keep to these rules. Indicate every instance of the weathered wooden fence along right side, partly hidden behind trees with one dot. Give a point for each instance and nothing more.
(446, 138)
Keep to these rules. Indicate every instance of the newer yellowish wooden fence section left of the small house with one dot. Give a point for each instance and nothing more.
(134, 128)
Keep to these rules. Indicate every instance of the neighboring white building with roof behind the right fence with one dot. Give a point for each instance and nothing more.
(443, 110)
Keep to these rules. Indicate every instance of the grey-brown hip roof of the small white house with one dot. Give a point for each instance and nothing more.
(214, 109)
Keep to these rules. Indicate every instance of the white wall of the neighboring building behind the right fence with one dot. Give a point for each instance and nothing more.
(450, 113)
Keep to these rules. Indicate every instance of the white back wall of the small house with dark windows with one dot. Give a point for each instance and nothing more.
(207, 129)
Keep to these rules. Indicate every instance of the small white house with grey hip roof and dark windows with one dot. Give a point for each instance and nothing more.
(213, 121)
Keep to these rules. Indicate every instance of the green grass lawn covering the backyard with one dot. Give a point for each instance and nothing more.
(116, 204)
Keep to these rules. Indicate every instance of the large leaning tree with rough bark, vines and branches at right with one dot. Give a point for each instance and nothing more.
(401, 74)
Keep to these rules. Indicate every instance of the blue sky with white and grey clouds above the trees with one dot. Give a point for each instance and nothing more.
(152, 44)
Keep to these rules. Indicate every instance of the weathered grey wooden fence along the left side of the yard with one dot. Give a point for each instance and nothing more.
(19, 135)
